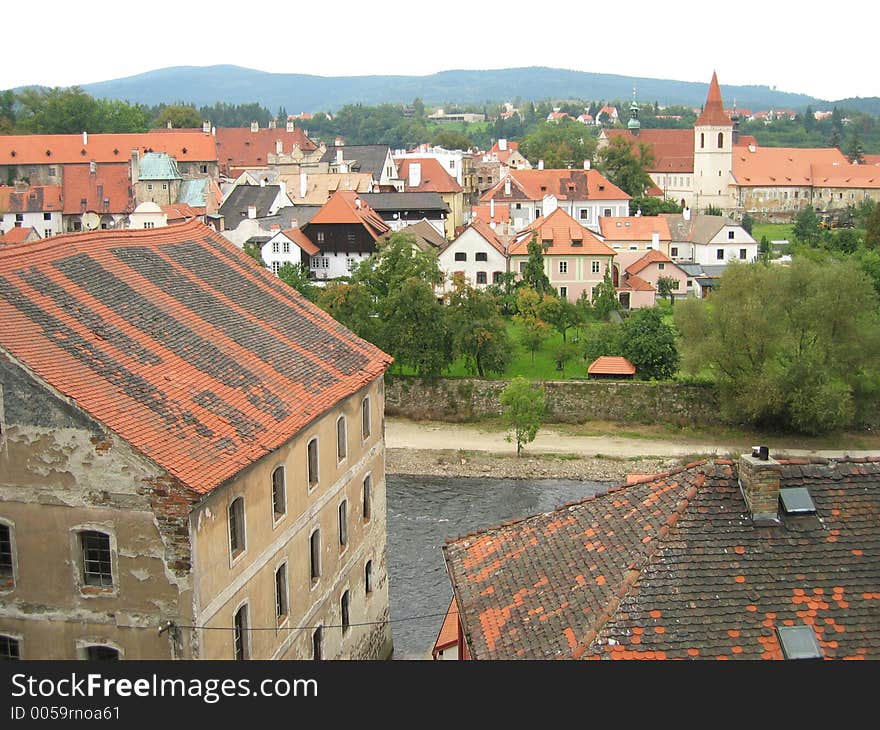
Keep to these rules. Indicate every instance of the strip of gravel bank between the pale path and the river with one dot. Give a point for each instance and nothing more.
(455, 463)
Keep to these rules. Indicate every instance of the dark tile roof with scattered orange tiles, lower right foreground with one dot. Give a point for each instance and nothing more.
(673, 567)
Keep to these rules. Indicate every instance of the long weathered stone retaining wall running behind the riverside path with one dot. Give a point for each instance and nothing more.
(572, 401)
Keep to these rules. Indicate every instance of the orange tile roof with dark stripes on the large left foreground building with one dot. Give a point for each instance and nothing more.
(177, 341)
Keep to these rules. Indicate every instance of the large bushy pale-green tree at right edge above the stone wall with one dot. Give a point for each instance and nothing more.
(789, 347)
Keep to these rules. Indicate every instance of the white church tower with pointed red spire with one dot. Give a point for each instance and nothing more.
(713, 154)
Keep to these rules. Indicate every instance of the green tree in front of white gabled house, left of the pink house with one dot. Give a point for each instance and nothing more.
(479, 334)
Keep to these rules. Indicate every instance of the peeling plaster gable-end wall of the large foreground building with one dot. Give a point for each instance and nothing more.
(61, 472)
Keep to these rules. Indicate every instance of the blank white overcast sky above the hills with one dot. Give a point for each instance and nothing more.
(764, 42)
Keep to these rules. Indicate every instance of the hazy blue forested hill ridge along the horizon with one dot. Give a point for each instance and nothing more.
(298, 92)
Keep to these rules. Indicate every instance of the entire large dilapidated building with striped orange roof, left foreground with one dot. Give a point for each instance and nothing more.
(191, 458)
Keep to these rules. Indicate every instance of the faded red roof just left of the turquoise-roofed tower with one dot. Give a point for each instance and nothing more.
(107, 190)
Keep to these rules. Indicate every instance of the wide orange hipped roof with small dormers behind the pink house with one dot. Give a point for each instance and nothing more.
(563, 184)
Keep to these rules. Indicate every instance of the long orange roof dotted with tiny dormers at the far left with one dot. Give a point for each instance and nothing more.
(50, 149)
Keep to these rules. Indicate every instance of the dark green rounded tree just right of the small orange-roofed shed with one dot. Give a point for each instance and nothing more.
(649, 344)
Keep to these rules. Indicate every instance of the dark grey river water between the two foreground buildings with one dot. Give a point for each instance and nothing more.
(423, 512)
